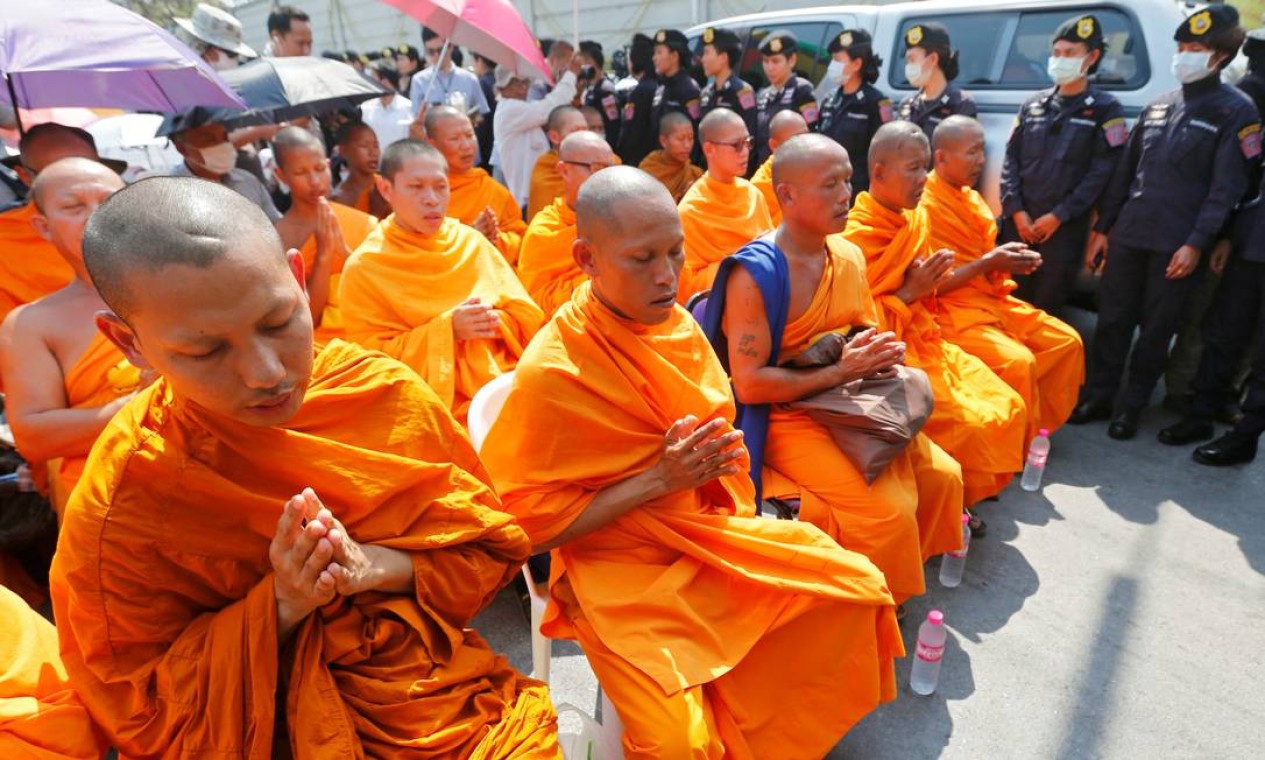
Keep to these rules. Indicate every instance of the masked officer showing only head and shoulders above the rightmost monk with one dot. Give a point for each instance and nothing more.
(932, 65)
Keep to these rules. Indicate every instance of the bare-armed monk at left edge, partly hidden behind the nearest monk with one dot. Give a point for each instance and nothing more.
(64, 380)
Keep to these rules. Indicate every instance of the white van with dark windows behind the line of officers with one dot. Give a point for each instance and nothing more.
(1004, 47)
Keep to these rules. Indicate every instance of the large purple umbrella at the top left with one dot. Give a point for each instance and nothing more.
(97, 54)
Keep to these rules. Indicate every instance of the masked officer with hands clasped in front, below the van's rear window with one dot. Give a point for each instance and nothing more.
(1066, 145)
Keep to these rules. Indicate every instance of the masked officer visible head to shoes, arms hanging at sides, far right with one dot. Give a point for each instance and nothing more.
(1187, 165)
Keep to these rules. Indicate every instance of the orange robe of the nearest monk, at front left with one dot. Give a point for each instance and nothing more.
(166, 605)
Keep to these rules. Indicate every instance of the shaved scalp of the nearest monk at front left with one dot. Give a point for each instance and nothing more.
(164, 222)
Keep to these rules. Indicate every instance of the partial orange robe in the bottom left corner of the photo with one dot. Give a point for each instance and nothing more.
(41, 716)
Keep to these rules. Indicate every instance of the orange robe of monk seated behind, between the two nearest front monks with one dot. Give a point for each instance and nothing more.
(399, 293)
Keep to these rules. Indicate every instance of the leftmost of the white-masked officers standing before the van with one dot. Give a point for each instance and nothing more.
(855, 111)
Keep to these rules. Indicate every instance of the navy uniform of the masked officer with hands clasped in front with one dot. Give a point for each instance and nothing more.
(1059, 160)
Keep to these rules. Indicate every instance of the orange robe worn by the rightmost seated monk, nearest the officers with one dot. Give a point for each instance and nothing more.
(1039, 356)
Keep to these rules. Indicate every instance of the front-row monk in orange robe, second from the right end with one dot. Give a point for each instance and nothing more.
(978, 419)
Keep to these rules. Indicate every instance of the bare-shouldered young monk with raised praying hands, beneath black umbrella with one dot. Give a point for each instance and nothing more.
(323, 233)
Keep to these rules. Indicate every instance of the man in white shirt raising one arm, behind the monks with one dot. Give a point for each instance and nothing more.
(519, 126)
